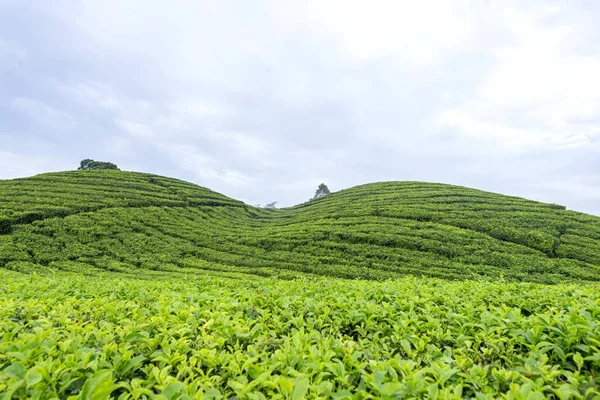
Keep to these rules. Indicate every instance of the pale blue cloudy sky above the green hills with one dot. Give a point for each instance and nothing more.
(264, 100)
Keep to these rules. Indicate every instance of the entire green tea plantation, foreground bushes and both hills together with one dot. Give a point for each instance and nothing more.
(132, 286)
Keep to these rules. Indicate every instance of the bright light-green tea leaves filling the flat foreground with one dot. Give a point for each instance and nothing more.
(65, 336)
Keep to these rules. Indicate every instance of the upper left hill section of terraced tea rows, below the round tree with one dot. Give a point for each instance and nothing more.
(23, 201)
